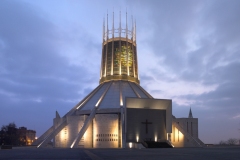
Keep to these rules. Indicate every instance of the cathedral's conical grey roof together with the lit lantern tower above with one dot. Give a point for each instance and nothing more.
(119, 70)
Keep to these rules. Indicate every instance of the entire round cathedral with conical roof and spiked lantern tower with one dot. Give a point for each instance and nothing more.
(119, 113)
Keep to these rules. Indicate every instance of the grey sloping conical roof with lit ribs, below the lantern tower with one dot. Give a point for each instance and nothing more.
(112, 94)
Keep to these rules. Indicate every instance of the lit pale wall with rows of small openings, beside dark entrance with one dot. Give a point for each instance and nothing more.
(105, 131)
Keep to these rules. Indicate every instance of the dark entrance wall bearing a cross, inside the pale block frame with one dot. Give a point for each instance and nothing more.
(145, 125)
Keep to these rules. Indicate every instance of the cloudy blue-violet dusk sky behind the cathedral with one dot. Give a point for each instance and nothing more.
(188, 51)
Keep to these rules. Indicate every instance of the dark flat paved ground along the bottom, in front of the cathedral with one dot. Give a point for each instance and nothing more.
(228, 153)
